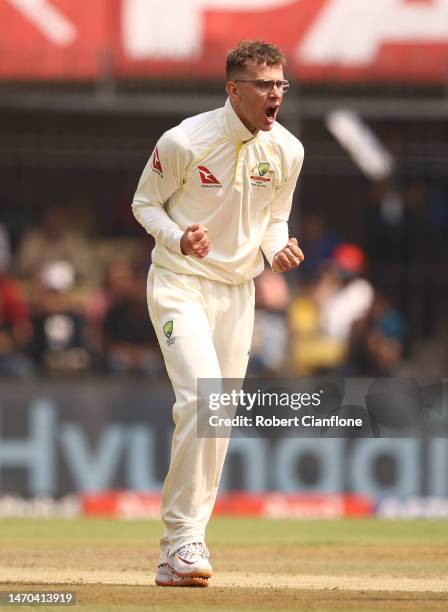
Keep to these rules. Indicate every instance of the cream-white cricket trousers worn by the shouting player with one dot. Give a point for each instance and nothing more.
(204, 329)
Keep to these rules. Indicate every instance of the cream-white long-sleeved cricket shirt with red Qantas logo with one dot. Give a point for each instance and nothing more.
(211, 169)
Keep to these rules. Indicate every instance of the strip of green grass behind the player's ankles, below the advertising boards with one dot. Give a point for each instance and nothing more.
(230, 531)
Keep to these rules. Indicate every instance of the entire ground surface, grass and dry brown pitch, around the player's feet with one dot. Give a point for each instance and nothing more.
(259, 564)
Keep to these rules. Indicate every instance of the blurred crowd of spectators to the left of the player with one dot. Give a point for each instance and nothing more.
(64, 309)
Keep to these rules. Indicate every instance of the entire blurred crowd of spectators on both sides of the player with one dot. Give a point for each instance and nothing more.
(67, 308)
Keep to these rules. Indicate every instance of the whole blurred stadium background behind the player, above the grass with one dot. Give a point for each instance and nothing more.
(84, 94)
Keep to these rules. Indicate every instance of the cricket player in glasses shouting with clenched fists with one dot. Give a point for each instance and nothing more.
(216, 195)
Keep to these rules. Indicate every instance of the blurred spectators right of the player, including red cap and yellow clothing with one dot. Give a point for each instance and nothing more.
(326, 317)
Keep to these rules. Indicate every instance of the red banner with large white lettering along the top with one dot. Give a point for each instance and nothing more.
(324, 40)
